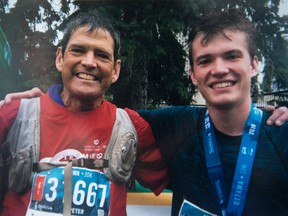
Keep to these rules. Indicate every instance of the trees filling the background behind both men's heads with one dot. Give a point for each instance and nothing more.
(154, 59)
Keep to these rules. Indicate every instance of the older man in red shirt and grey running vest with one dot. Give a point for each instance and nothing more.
(84, 147)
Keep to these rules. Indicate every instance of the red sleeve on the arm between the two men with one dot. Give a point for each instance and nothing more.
(150, 171)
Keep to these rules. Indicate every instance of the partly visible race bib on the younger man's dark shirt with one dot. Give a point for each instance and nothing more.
(189, 209)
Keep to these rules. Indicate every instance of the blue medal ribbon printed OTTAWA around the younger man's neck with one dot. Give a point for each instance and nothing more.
(235, 204)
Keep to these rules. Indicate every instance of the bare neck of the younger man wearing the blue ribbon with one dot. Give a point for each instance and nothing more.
(230, 121)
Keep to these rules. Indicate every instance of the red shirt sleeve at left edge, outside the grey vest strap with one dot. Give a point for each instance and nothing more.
(8, 115)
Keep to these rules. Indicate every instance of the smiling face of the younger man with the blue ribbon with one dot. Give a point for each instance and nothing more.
(222, 69)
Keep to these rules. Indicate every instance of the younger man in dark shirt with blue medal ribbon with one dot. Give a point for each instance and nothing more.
(229, 161)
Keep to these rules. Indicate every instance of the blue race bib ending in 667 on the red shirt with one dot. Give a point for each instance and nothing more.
(90, 193)
